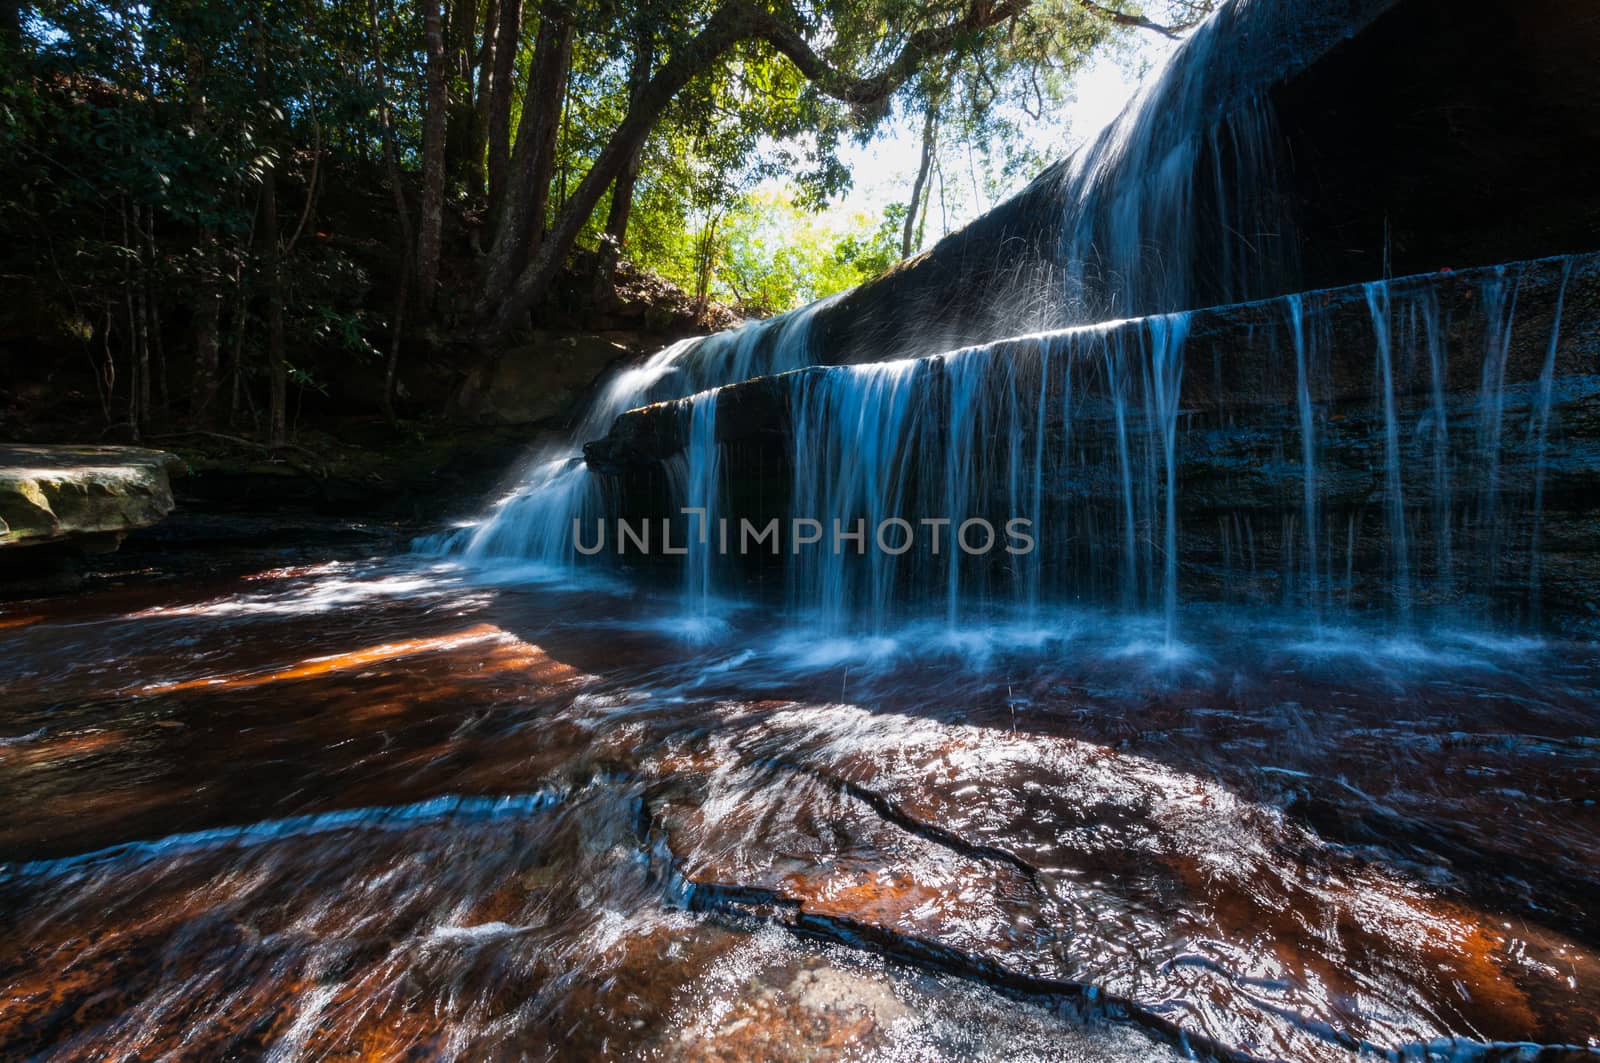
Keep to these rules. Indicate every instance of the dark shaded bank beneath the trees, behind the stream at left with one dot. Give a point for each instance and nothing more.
(462, 412)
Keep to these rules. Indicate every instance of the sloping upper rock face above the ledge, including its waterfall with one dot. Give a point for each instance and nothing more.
(1300, 146)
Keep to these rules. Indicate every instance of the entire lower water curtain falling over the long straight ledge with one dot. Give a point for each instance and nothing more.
(1402, 459)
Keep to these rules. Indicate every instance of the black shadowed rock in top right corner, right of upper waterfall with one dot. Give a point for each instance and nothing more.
(1447, 135)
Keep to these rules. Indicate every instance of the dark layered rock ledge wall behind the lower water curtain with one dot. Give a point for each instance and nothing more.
(1449, 420)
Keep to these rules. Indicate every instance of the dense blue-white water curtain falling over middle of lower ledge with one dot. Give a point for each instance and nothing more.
(905, 471)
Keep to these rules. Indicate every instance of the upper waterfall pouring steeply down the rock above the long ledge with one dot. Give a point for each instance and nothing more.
(1182, 201)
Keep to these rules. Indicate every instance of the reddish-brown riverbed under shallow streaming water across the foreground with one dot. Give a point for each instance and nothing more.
(385, 811)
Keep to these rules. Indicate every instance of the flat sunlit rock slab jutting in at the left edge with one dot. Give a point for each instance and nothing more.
(92, 495)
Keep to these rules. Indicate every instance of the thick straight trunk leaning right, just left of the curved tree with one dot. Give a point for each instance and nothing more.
(519, 227)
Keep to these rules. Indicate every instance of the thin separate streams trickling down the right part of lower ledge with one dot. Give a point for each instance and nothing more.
(1431, 492)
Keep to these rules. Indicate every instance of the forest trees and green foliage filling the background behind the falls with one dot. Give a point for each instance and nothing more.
(204, 201)
